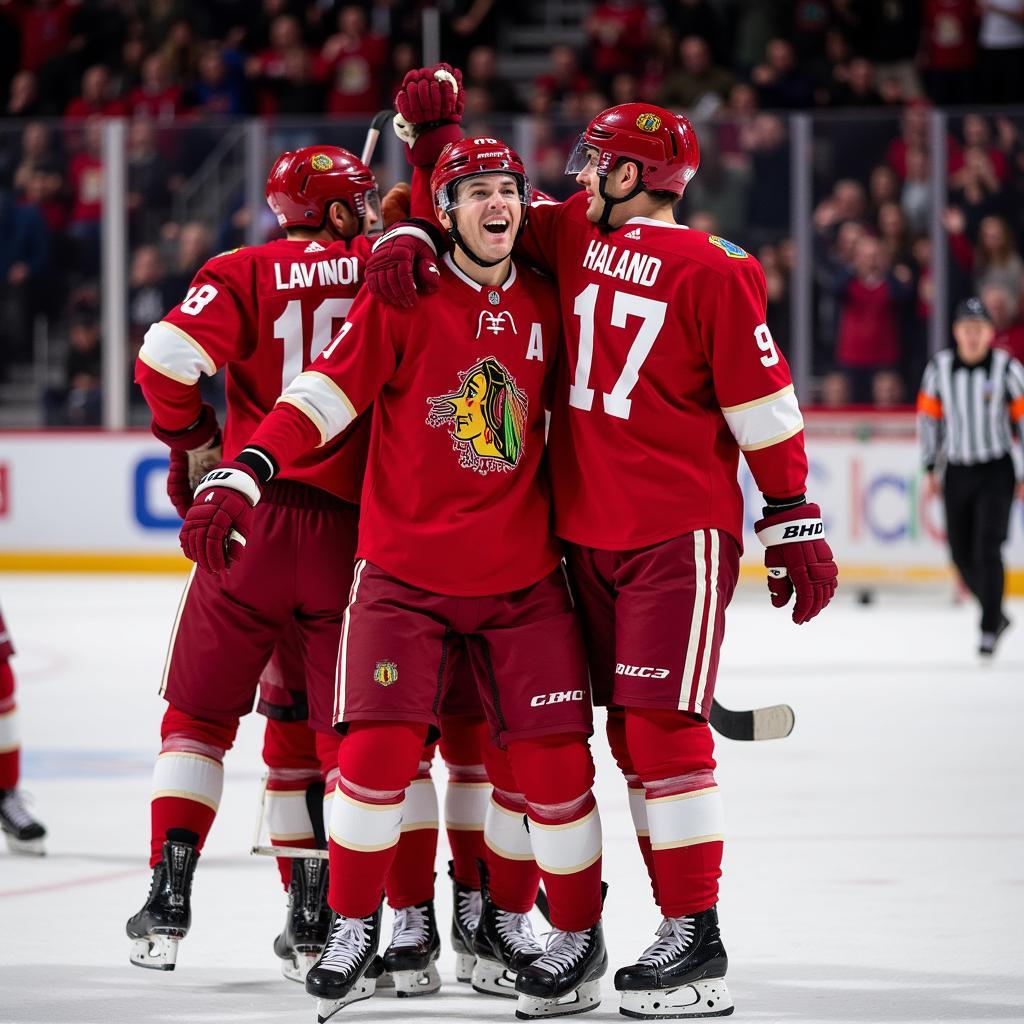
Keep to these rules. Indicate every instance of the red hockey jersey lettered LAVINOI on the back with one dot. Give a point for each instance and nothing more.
(264, 313)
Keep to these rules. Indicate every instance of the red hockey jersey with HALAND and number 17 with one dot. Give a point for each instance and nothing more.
(671, 372)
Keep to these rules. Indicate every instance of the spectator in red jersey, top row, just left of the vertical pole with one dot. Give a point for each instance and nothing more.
(356, 63)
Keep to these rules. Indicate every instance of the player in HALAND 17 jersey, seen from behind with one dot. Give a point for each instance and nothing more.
(671, 372)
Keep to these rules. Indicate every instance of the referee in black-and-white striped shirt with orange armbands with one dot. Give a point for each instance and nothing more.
(971, 399)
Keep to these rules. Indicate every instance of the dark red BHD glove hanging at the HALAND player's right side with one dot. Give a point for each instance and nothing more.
(798, 560)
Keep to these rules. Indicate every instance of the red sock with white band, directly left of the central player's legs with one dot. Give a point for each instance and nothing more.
(290, 755)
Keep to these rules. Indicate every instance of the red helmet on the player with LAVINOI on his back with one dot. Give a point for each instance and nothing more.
(304, 183)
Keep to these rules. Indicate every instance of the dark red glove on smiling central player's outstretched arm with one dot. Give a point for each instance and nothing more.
(220, 517)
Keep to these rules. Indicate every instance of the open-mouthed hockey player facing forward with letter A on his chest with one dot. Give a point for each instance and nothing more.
(454, 542)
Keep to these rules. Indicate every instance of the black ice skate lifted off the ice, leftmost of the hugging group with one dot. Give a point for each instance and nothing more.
(165, 918)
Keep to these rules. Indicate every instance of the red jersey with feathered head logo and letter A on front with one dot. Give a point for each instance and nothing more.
(455, 499)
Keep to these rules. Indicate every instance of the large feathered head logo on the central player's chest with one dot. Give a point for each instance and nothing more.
(488, 416)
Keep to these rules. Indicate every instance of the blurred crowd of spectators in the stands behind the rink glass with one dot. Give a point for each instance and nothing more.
(185, 72)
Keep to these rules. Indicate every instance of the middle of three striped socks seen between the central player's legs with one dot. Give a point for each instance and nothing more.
(468, 794)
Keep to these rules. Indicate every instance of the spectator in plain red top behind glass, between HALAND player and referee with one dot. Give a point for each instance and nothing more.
(871, 300)
